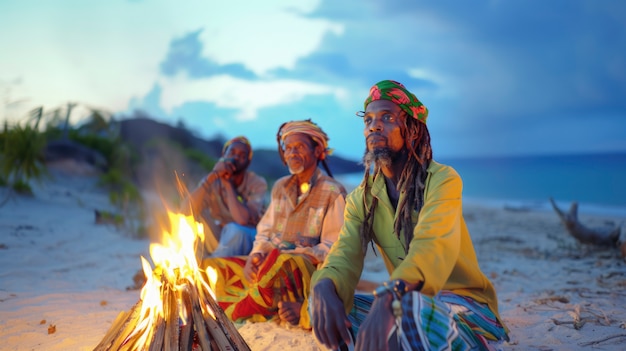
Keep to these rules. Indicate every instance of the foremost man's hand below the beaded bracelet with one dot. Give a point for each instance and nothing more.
(373, 332)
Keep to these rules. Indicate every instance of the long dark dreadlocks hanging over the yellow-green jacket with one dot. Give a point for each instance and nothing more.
(412, 182)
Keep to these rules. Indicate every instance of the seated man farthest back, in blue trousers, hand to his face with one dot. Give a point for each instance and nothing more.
(229, 201)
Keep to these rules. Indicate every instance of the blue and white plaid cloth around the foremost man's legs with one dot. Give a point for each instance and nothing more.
(444, 322)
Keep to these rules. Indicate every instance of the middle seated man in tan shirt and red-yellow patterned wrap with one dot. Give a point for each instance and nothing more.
(293, 237)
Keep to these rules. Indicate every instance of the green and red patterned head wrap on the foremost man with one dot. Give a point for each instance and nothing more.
(398, 94)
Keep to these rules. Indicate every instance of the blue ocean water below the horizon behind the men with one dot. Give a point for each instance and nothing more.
(596, 181)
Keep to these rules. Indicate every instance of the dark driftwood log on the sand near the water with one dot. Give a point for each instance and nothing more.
(606, 236)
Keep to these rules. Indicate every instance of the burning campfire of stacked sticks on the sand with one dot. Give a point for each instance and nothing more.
(177, 309)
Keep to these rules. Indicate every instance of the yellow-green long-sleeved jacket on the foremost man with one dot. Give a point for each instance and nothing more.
(441, 253)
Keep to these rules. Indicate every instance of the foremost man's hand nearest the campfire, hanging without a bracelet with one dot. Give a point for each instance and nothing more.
(330, 323)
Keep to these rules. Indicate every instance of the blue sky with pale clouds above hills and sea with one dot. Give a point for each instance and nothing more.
(510, 77)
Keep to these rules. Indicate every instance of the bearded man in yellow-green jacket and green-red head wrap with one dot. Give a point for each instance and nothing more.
(410, 207)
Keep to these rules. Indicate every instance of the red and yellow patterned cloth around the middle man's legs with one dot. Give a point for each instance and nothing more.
(282, 277)
